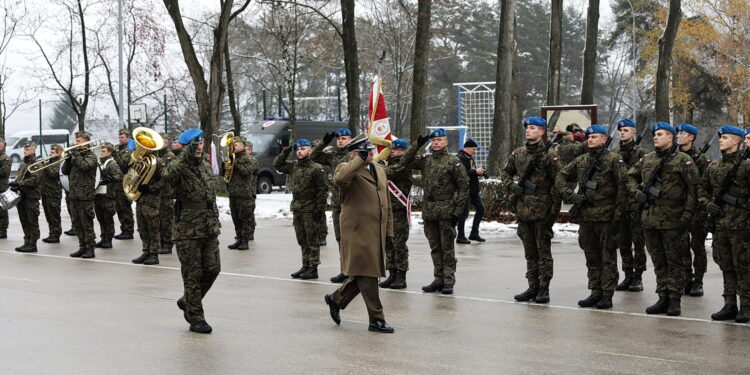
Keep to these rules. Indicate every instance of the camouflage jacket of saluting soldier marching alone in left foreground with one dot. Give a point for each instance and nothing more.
(194, 183)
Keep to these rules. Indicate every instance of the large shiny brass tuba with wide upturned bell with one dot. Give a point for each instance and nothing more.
(142, 162)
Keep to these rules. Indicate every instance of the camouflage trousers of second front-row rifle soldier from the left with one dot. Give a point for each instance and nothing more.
(600, 248)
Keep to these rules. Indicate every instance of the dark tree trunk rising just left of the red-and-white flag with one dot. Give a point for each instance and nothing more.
(351, 64)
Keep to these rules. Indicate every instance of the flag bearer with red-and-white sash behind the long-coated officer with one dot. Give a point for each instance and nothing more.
(397, 253)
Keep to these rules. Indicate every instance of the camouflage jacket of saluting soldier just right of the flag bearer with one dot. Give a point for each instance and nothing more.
(444, 180)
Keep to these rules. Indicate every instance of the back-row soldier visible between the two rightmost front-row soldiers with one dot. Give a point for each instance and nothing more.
(695, 237)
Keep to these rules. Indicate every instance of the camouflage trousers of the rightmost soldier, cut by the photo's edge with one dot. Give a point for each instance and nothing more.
(731, 253)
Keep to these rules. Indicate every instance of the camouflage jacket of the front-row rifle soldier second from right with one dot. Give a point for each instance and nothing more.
(676, 203)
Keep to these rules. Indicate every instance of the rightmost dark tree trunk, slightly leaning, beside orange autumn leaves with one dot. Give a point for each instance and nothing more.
(666, 44)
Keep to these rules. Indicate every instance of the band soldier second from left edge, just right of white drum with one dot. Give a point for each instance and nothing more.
(29, 185)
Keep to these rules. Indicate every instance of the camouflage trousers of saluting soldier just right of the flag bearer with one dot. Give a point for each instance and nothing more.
(440, 235)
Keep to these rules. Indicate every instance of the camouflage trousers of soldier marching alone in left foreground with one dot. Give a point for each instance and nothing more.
(200, 265)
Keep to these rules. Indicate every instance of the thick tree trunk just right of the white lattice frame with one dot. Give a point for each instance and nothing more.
(501, 121)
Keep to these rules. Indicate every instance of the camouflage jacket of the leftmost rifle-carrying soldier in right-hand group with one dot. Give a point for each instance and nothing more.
(545, 202)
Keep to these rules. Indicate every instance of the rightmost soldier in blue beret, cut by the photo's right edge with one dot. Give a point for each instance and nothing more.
(730, 223)
